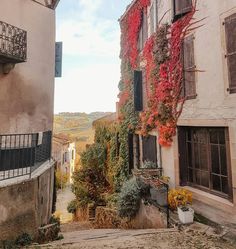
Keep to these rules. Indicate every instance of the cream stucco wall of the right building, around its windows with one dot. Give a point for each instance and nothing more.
(214, 106)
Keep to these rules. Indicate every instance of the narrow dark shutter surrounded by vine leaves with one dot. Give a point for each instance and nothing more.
(138, 91)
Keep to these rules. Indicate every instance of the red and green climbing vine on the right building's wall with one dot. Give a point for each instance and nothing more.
(164, 72)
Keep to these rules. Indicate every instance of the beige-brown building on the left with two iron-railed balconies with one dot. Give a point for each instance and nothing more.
(27, 66)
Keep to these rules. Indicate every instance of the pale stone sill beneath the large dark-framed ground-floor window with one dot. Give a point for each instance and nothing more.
(202, 196)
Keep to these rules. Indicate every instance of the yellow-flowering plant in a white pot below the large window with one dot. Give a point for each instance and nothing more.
(181, 199)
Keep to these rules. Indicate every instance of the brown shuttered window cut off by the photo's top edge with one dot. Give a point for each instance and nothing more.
(181, 7)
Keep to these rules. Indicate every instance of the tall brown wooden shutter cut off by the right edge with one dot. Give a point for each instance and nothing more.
(230, 32)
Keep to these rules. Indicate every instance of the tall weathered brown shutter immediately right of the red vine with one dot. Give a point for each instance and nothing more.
(189, 84)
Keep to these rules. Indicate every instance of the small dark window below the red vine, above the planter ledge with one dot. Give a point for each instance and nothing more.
(149, 149)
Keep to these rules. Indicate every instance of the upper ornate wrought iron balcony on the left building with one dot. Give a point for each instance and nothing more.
(13, 44)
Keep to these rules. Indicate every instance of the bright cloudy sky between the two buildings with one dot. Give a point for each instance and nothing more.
(90, 33)
